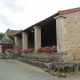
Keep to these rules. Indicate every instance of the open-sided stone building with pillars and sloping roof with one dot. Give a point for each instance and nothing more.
(61, 29)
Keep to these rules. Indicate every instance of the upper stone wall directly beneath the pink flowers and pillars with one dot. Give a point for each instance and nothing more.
(43, 57)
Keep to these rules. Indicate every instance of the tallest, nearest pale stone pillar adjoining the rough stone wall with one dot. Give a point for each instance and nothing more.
(60, 30)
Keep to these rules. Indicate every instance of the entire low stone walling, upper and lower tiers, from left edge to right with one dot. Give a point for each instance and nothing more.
(43, 60)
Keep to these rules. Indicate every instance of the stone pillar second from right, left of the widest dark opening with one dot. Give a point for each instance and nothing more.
(37, 37)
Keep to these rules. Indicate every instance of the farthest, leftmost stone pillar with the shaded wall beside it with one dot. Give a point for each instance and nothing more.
(18, 43)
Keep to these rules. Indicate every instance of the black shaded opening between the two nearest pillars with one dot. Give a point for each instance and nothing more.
(48, 34)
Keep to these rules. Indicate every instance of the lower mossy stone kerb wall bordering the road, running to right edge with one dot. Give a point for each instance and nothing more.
(49, 65)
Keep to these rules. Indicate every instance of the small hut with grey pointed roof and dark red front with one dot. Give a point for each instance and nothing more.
(5, 43)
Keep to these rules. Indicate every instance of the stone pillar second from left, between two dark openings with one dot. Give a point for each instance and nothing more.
(24, 40)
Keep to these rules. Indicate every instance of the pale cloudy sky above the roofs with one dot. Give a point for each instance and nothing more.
(20, 14)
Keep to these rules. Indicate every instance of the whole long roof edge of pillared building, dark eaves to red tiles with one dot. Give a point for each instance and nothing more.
(61, 12)
